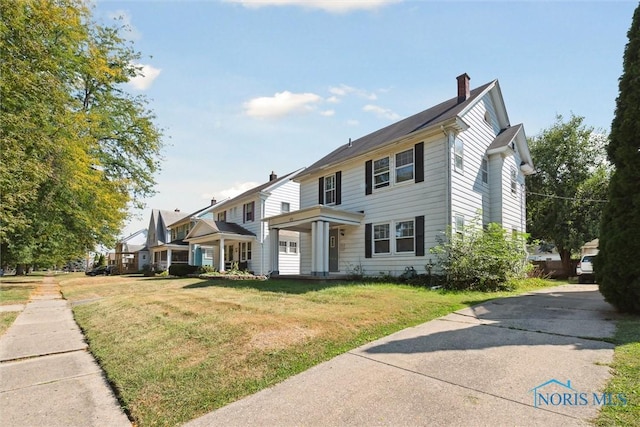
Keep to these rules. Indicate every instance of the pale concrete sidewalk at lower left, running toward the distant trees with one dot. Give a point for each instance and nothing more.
(47, 377)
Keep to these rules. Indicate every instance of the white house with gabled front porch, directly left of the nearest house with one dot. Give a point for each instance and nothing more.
(238, 235)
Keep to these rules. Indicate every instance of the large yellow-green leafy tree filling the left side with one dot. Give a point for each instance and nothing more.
(76, 149)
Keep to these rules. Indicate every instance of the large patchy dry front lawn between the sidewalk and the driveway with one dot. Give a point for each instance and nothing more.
(178, 348)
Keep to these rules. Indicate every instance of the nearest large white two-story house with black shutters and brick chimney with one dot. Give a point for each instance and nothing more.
(378, 204)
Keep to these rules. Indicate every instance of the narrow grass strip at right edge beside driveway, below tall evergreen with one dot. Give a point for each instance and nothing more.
(626, 376)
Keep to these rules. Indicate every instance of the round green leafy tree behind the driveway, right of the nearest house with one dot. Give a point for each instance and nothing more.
(565, 195)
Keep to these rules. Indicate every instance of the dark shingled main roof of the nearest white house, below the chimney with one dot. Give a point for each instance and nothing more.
(433, 116)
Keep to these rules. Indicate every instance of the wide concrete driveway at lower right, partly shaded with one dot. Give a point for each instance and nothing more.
(492, 364)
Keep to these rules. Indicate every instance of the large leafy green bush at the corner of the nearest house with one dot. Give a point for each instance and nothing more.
(481, 259)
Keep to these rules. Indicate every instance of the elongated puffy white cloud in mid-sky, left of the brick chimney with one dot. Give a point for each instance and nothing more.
(281, 104)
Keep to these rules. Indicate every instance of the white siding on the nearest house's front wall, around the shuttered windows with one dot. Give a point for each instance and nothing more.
(398, 202)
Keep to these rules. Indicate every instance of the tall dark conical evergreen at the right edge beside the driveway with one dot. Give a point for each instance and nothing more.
(618, 263)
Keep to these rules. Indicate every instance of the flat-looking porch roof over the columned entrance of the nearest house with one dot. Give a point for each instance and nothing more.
(301, 220)
